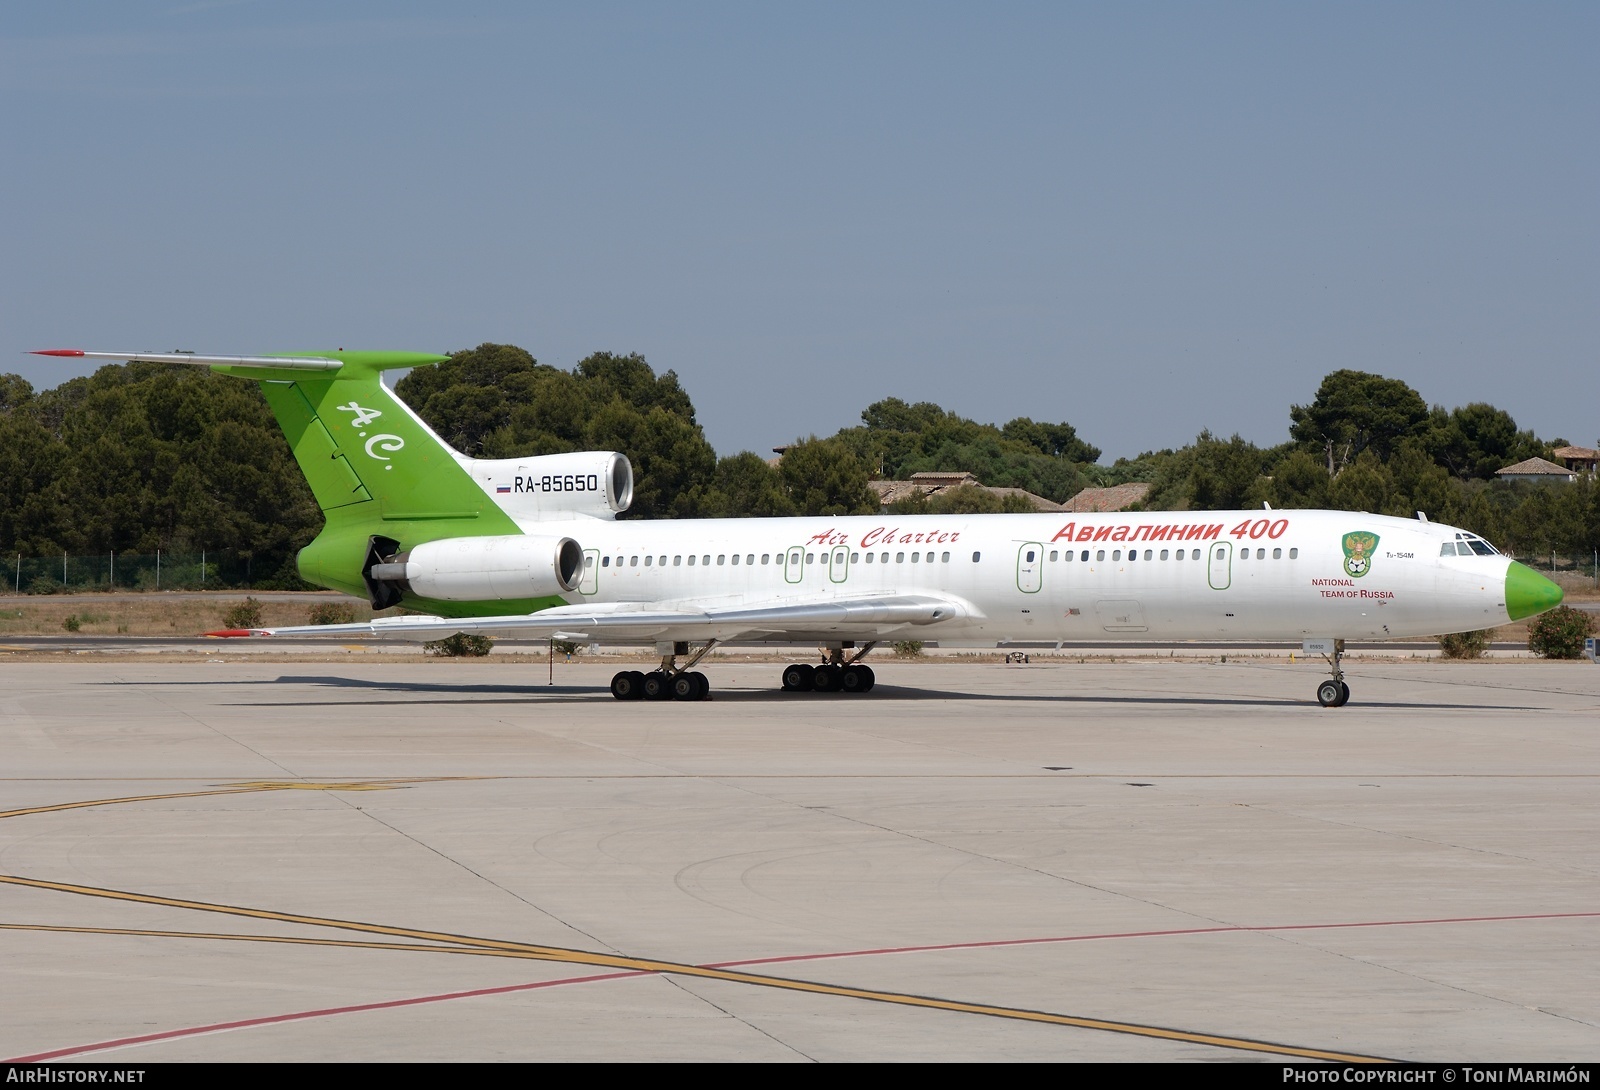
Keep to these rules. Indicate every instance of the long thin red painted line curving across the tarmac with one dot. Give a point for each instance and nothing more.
(326, 1012)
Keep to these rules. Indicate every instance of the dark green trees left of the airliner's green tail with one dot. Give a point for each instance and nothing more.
(150, 457)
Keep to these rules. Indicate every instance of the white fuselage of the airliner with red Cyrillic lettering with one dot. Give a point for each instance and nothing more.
(1274, 575)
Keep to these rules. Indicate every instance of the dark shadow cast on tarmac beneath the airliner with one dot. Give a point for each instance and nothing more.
(535, 694)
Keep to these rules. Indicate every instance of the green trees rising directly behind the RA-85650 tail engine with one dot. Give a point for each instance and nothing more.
(498, 403)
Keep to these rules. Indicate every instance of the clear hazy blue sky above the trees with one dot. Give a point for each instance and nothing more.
(1143, 220)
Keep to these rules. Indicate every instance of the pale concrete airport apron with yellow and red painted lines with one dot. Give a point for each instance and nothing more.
(364, 860)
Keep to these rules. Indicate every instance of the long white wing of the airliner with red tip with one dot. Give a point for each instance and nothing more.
(871, 619)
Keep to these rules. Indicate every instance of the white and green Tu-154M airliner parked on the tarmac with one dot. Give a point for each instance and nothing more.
(534, 548)
